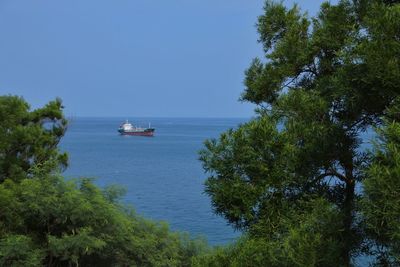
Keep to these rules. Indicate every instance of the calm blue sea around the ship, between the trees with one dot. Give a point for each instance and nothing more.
(162, 174)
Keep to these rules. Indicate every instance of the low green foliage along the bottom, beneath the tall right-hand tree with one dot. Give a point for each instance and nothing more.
(299, 245)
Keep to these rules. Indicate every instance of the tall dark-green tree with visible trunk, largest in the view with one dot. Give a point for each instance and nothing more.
(323, 83)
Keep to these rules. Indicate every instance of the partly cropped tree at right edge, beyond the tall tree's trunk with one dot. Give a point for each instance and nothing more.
(381, 202)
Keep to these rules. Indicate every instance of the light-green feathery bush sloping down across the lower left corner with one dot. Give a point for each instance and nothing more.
(58, 223)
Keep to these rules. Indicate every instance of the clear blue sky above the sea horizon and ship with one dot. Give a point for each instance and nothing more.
(136, 58)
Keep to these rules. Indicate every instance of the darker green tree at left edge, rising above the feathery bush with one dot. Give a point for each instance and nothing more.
(29, 138)
